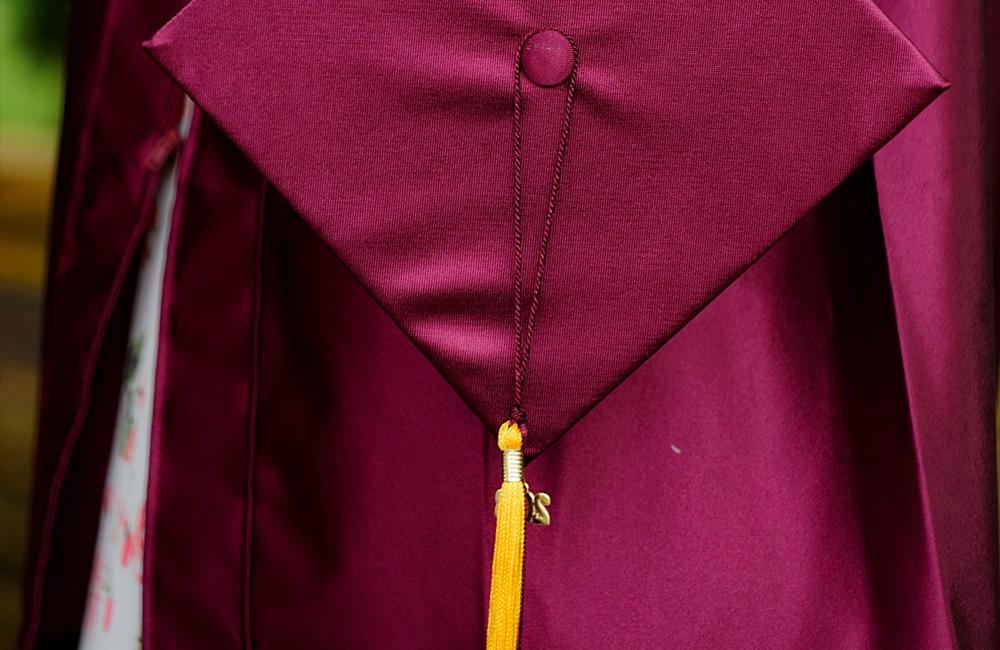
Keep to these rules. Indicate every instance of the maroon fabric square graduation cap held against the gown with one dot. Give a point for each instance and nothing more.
(700, 134)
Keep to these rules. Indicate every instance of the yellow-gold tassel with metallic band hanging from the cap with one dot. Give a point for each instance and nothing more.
(504, 623)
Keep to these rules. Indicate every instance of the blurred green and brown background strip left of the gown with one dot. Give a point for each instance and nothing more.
(32, 33)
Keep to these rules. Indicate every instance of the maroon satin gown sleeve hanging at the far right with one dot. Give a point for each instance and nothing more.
(938, 186)
